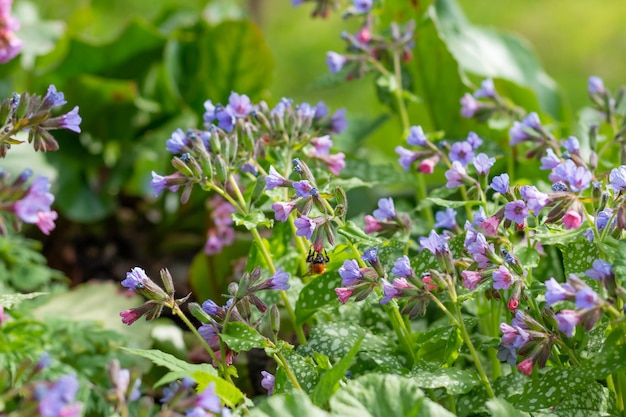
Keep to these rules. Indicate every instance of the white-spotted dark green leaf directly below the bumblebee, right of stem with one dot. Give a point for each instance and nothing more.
(317, 294)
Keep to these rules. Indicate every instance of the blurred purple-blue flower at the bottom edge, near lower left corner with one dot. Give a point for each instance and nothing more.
(56, 401)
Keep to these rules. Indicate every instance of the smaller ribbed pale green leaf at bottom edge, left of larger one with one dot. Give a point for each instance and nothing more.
(292, 404)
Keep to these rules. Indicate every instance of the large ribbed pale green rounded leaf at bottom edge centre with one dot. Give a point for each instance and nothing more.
(376, 395)
